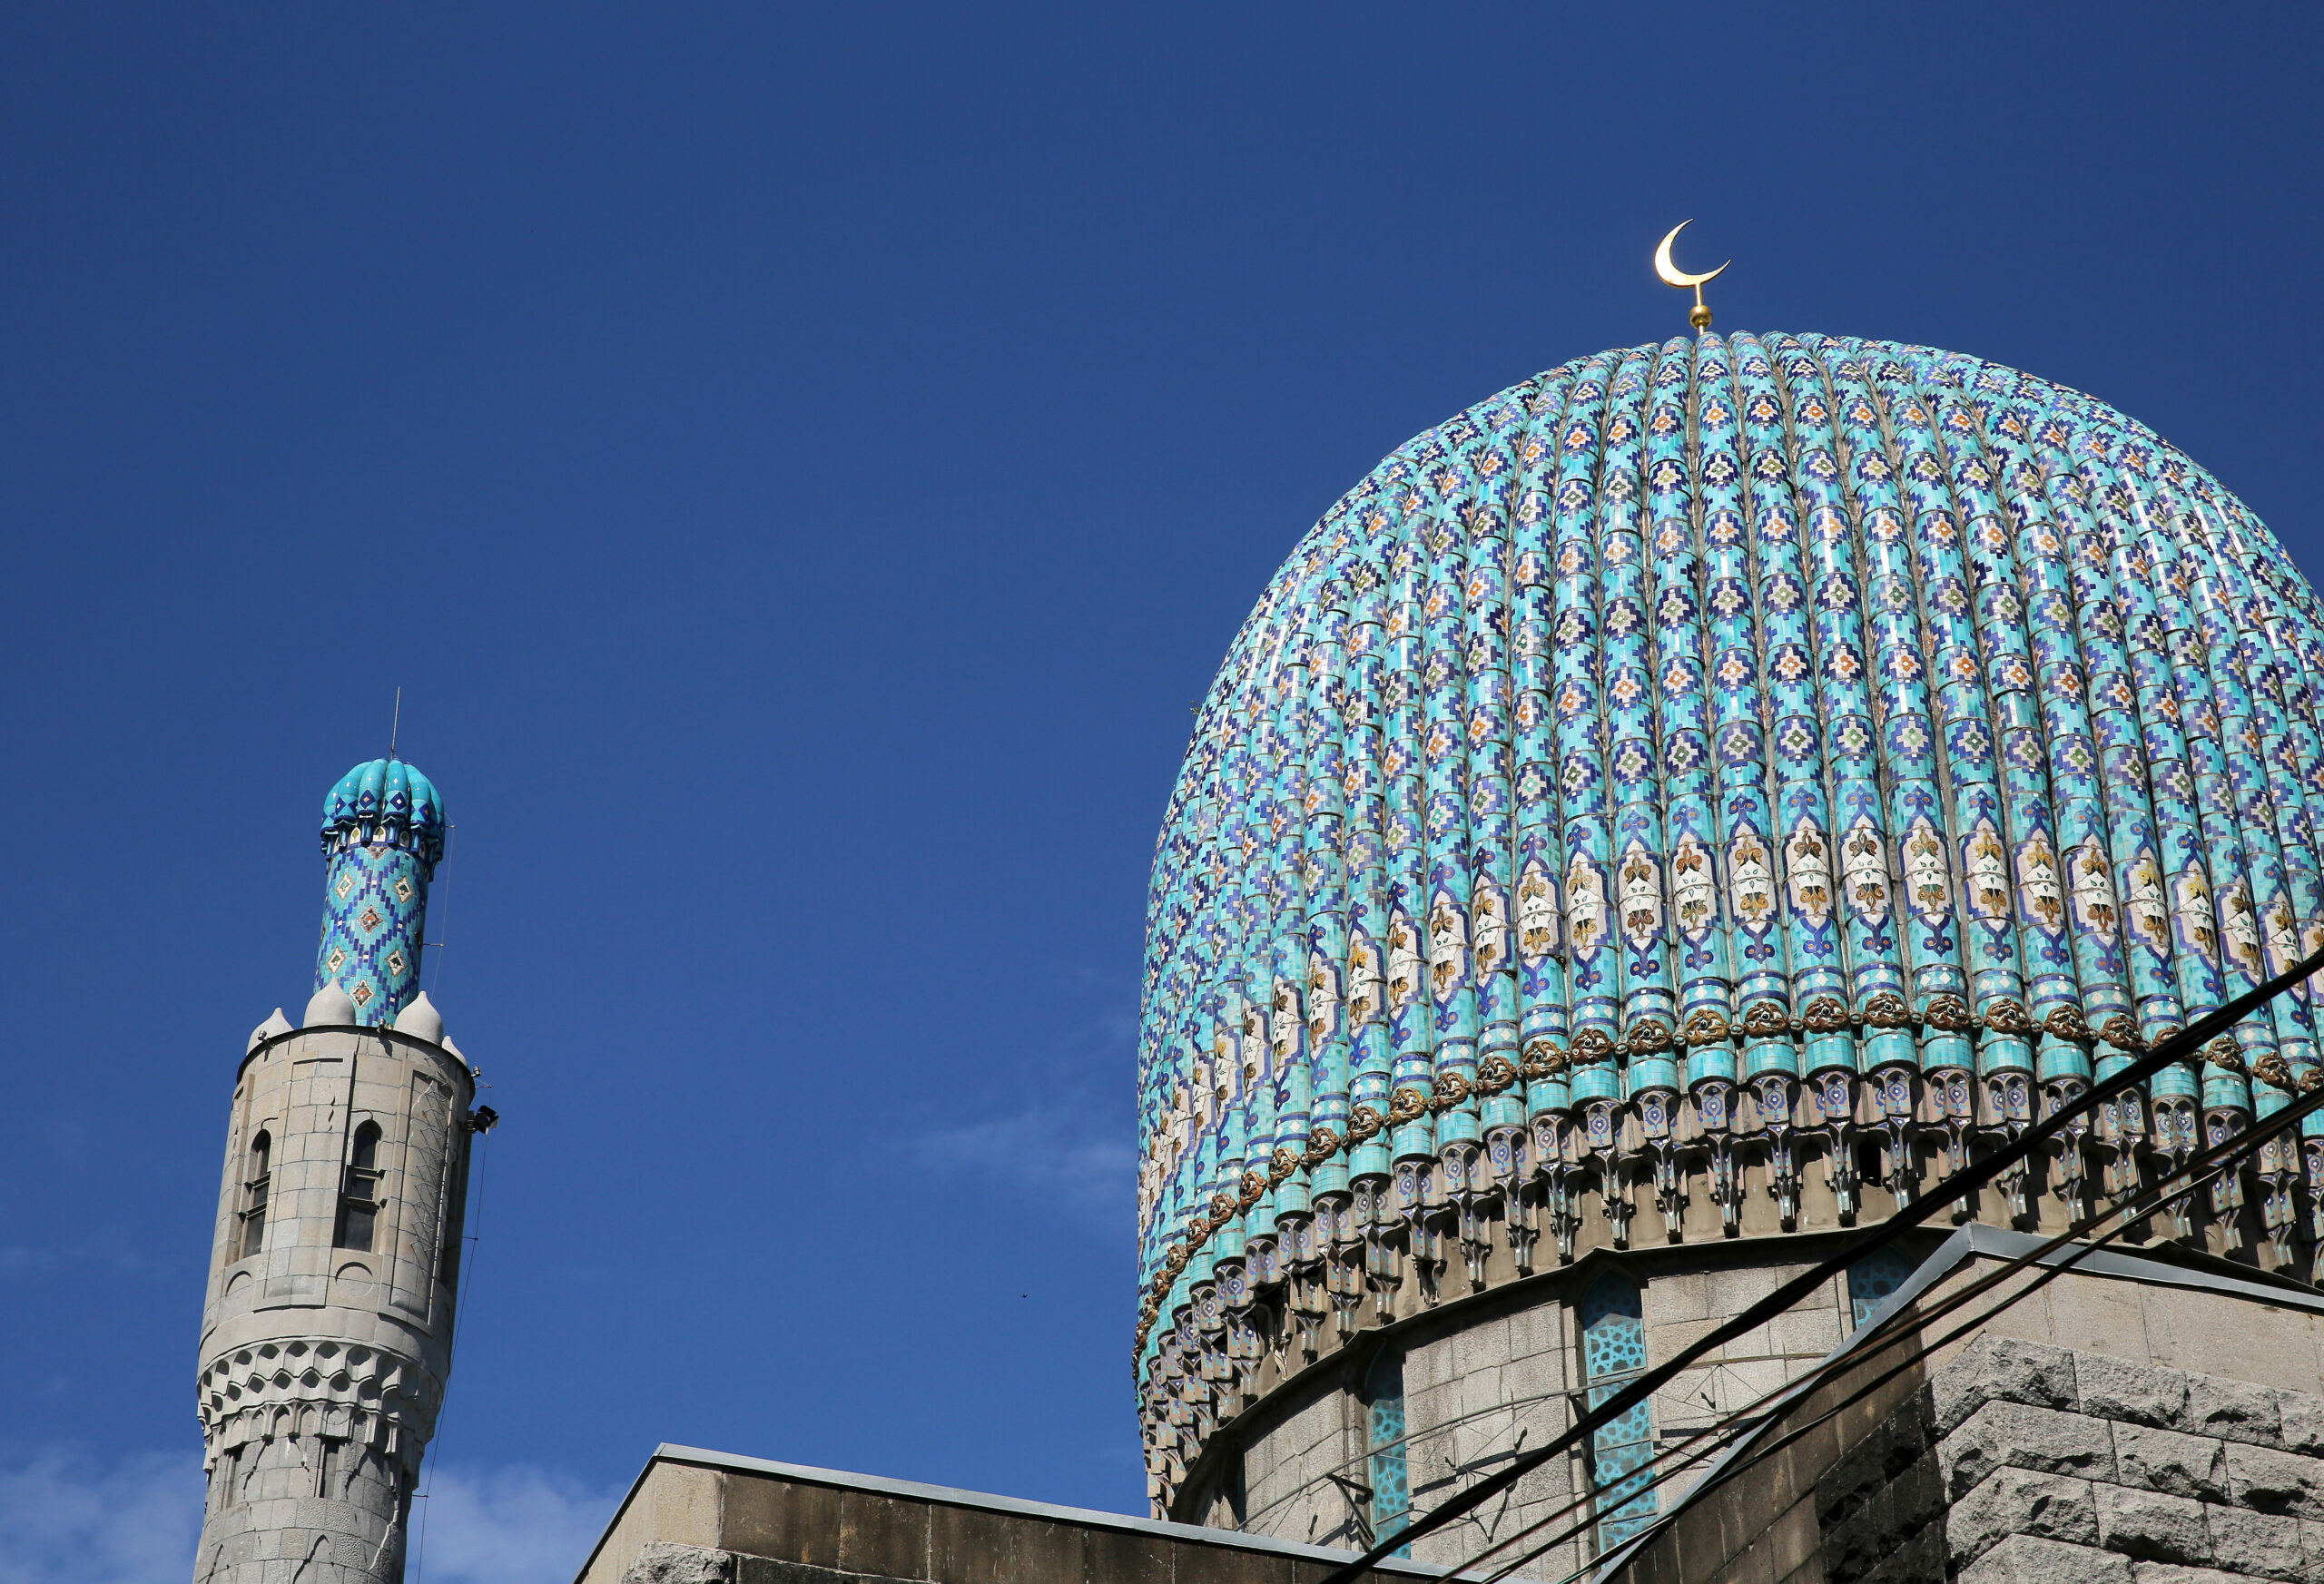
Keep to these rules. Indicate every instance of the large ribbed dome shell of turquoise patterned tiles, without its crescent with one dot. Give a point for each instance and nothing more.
(1712, 712)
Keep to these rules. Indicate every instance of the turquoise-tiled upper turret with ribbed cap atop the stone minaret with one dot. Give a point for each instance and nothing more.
(382, 835)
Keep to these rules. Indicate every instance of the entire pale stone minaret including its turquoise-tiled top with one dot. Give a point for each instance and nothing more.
(327, 1334)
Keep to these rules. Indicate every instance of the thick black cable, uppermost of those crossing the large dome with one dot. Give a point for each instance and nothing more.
(1956, 1188)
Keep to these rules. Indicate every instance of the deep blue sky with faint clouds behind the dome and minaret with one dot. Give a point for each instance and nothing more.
(801, 463)
